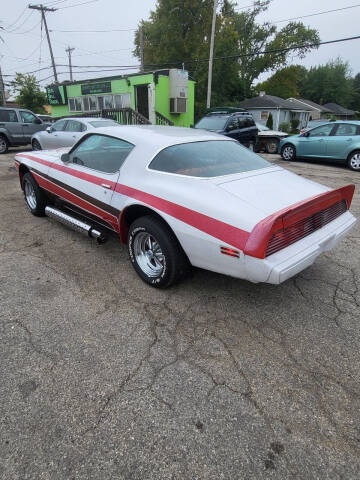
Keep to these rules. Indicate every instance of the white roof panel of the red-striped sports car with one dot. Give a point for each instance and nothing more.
(159, 136)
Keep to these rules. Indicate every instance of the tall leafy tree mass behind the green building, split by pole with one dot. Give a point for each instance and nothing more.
(178, 33)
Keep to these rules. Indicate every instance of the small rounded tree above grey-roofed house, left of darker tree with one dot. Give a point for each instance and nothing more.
(284, 83)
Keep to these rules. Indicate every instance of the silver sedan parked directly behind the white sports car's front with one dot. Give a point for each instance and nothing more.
(67, 131)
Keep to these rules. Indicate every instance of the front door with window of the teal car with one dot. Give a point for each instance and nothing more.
(314, 142)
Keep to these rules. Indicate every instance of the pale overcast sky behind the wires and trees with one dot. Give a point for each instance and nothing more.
(22, 50)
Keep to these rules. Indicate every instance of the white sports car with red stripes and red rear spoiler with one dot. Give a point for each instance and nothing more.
(181, 197)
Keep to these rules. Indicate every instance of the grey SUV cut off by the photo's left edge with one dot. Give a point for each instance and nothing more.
(17, 125)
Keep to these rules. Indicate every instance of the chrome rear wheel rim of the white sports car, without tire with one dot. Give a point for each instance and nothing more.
(148, 254)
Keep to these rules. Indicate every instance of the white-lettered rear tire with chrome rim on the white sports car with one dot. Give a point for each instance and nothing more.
(155, 252)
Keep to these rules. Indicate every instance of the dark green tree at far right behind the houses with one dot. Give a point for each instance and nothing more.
(330, 83)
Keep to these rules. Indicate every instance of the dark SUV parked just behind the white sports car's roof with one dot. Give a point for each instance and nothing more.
(235, 124)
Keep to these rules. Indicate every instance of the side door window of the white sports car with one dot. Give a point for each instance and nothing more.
(102, 153)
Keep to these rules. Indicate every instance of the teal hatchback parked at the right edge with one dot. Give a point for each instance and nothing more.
(338, 141)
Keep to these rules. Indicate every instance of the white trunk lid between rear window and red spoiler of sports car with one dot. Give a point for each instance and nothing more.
(270, 189)
